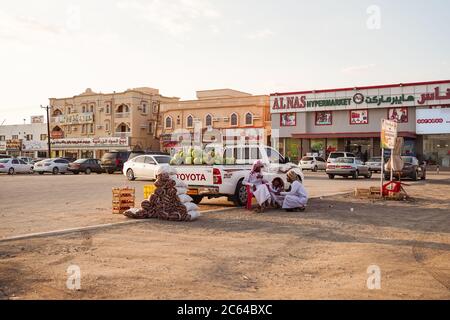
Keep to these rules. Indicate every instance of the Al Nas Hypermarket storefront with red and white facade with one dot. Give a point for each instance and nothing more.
(349, 119)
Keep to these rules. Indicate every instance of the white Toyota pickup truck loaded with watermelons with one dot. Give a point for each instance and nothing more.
(215, 181)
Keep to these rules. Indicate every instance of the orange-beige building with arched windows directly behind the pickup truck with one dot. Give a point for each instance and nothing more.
(216, 116)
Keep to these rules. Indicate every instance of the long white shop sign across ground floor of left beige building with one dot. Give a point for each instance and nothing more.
(106, 142)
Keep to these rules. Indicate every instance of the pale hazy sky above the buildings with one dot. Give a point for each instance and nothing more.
(58, 48)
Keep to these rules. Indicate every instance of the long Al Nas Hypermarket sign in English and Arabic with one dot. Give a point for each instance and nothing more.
(382, 97)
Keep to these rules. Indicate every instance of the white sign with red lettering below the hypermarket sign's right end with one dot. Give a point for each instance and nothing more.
(433, 121)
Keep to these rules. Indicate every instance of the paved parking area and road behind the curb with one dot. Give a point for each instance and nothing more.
(34, 203)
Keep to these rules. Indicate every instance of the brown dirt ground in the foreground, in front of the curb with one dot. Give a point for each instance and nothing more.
(323, 253)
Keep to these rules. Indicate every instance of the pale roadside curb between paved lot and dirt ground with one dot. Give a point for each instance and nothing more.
(124, 223)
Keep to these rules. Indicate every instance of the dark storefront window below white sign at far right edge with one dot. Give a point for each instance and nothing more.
(436, 149)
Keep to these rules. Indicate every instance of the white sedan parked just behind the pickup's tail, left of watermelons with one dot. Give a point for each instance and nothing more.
(144, 167)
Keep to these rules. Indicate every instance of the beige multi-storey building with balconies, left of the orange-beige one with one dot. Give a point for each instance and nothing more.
(90, 124)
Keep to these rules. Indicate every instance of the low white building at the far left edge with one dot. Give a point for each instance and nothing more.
(27, 140)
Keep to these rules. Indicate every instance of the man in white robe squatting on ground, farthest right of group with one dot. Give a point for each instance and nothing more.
(297, 198)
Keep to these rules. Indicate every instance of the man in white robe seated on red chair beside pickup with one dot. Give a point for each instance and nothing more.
(258, 186)
